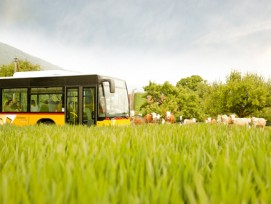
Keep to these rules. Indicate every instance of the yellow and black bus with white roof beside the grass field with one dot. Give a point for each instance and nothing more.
(30, 98)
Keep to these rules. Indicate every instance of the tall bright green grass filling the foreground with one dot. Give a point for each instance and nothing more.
(137, 164)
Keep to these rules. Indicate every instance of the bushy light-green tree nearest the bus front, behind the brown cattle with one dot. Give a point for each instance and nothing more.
(181, 101)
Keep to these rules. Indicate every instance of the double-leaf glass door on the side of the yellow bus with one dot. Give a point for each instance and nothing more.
(80, 105)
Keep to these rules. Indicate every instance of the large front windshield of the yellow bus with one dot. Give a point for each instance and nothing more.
(114, 104)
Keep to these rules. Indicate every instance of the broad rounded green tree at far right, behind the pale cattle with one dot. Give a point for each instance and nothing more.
(242, 95)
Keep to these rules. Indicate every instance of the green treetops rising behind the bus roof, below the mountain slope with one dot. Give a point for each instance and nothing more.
(8, 70)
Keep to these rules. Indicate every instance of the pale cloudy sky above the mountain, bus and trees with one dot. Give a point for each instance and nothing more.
(143, 41)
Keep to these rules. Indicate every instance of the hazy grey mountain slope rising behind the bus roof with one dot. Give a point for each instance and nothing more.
(8, 53)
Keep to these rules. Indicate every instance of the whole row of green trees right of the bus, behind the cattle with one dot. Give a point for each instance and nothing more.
(192, 97)
